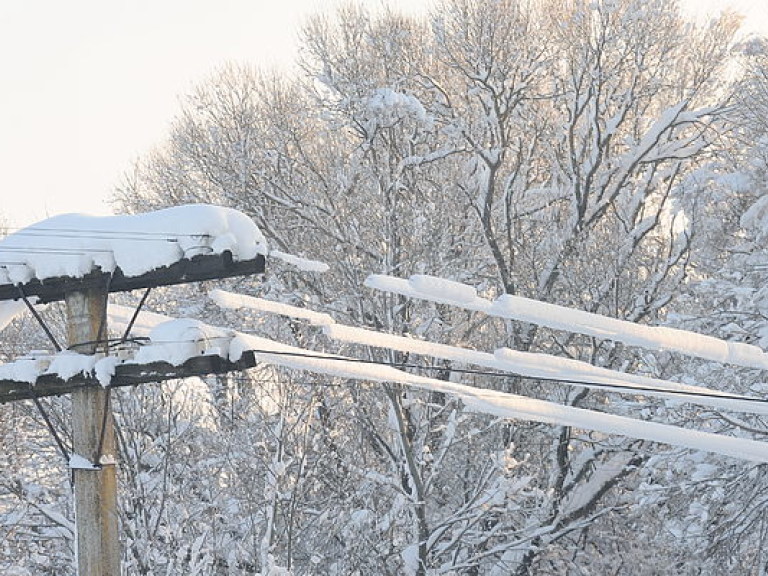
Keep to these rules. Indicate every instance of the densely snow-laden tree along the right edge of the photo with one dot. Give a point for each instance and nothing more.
(725, 296)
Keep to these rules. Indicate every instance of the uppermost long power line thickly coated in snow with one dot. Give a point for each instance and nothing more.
(557, 317)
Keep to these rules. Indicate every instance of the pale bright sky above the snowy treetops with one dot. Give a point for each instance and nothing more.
(89, 86)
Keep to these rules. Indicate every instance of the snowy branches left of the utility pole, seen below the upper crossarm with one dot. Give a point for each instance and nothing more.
(36, 523)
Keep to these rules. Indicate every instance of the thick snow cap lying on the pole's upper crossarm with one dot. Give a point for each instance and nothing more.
(74, 245)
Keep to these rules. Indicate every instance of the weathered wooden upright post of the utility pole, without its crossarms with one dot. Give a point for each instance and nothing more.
(98, 547)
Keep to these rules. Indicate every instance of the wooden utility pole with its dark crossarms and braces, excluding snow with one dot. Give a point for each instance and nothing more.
(93, 461)
